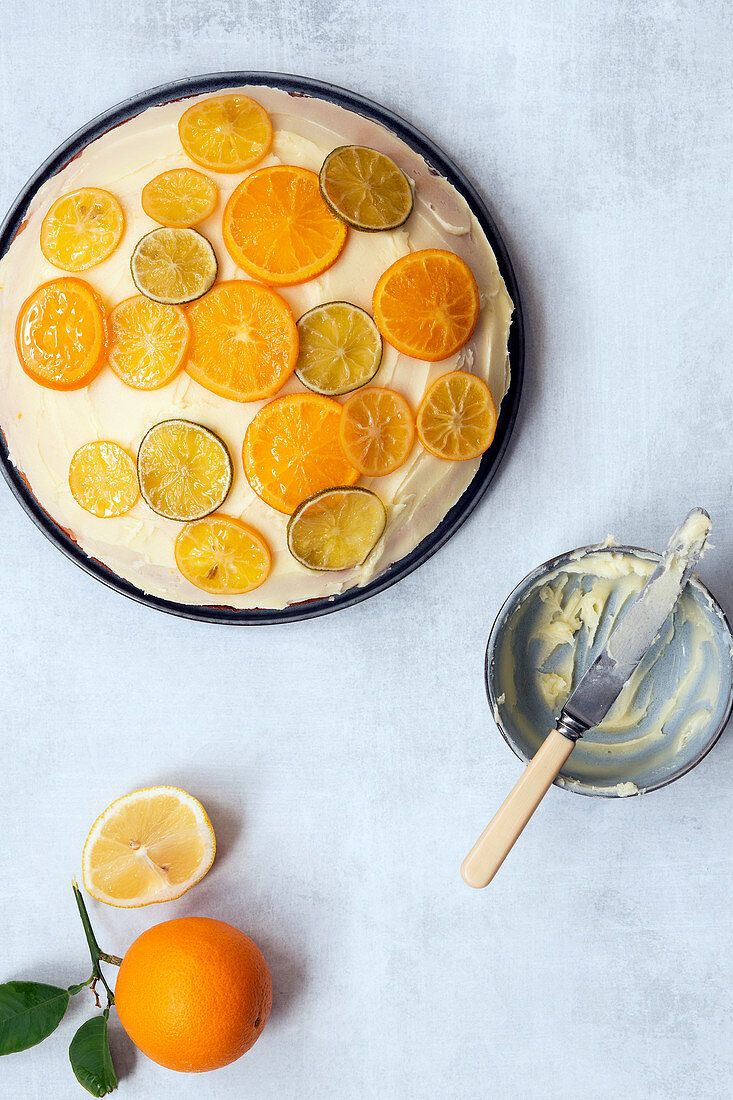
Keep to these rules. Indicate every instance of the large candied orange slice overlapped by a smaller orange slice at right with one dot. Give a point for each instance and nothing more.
(292, 450)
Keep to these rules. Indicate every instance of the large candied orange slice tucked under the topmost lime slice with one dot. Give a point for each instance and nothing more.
(278, 228)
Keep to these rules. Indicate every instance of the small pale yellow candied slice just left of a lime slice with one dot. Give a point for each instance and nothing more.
(103, 479)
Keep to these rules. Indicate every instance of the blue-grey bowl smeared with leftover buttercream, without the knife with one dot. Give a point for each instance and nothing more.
(671, 711)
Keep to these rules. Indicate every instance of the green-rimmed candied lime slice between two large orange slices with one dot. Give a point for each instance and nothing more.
(341, 349)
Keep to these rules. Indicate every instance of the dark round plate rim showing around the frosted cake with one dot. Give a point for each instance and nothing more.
(441, 164)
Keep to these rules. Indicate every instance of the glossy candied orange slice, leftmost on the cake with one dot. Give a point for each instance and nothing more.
(61, 335)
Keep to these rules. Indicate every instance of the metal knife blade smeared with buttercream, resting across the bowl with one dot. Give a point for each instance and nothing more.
(636, 632)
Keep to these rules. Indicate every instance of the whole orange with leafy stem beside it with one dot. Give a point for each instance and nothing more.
(194, 994)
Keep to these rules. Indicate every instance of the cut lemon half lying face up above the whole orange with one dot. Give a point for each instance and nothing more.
(151, 845)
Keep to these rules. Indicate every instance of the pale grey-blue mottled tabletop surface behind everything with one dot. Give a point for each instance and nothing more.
(349, 763)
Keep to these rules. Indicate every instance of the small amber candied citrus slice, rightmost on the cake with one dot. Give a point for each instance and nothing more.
(457, 419)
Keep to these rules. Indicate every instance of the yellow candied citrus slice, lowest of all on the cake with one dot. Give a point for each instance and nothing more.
(223, 556)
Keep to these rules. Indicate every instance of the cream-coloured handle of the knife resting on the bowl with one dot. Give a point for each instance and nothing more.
(500, 835)
